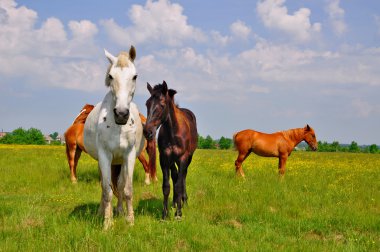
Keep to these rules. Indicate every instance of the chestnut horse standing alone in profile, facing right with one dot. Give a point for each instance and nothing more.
(279, 144)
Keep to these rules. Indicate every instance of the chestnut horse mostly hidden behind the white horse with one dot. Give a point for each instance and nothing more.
(74, 147)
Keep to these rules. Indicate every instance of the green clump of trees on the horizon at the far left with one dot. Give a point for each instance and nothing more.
(22, 136)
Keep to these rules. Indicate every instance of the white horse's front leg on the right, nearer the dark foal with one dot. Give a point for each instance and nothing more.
(127, 188)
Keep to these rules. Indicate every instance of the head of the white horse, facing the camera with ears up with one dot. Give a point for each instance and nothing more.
(121, 78)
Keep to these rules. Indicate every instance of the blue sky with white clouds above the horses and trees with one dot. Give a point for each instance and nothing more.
(267, 65)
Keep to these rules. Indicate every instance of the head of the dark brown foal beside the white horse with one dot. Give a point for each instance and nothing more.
(158, 108)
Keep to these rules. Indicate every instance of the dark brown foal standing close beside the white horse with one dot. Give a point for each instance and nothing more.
(177, 141)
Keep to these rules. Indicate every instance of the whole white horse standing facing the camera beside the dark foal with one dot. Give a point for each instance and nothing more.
(113, 135)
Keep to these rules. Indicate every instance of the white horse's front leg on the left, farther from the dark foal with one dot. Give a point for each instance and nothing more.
(105, 203)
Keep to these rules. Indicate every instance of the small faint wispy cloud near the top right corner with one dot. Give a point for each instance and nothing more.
(336, 15)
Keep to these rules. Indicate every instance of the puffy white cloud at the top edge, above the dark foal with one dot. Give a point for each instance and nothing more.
(159, 21)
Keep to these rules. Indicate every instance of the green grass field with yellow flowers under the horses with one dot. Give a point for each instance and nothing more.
(326, 202)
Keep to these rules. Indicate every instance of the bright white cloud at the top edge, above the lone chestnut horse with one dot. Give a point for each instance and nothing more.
(275, 15)
